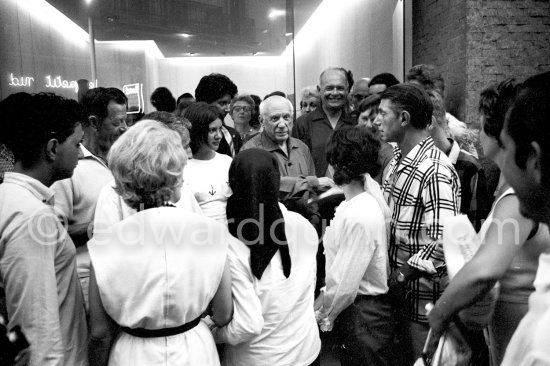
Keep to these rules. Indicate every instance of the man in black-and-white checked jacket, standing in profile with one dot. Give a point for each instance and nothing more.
(422, 188)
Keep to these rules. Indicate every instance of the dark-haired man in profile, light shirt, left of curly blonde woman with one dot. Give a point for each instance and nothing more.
(104, 120)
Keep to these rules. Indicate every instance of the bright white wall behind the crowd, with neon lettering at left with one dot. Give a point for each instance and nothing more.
(39, 46)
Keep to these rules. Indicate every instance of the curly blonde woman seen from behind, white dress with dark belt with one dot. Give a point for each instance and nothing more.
(149, 284)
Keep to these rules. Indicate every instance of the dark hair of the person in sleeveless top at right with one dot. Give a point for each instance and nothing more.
(494, 102)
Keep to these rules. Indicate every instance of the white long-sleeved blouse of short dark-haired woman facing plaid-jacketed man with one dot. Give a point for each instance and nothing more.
(356, 254)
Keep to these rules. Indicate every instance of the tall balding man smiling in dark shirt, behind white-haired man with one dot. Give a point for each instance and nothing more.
(315, 128)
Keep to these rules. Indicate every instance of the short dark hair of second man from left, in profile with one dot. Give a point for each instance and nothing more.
(96, 101)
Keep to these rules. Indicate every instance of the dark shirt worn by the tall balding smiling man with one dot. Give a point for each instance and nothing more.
(314, 129)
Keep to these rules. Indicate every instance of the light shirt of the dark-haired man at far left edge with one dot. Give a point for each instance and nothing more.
(38, 272)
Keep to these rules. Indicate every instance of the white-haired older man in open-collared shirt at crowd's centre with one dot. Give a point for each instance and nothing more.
(296, 165)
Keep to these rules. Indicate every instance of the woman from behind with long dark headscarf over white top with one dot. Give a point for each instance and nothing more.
(276, 252)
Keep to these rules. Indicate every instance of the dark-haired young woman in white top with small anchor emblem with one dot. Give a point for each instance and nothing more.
(206, 173)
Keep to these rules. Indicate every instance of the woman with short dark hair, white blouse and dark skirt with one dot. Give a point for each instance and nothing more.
(355, 299)
